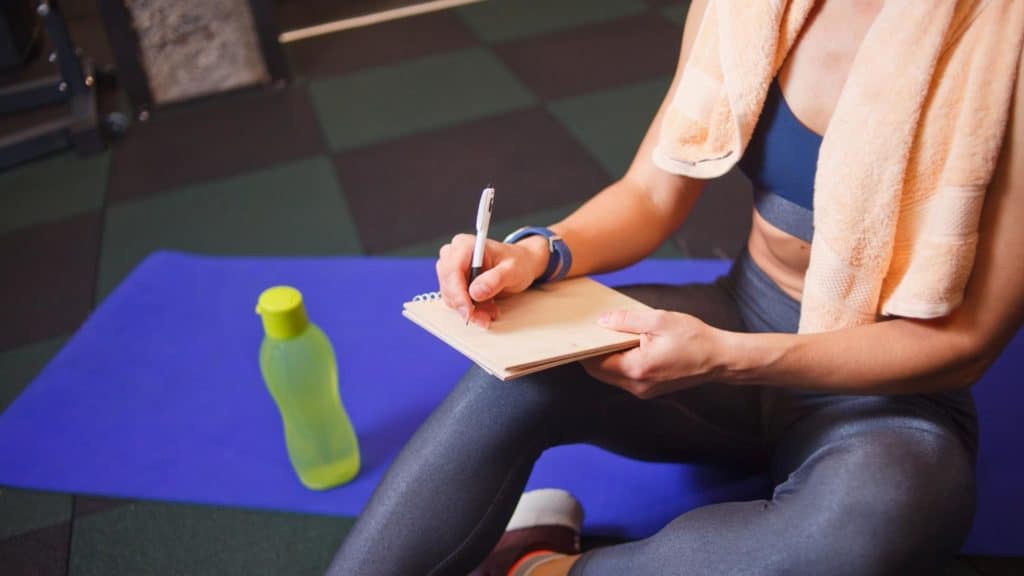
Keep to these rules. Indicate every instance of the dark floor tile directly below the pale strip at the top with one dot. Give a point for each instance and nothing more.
(379, 45)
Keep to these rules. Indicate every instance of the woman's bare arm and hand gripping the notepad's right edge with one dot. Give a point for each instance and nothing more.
(900, 356)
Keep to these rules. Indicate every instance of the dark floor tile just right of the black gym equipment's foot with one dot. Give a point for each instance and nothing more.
(214, 139)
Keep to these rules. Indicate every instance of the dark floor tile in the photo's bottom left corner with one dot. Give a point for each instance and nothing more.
(40, 553)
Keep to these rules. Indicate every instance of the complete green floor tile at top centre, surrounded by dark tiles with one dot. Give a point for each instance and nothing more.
(413, 97)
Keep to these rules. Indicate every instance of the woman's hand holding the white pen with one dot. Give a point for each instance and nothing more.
(508, 269)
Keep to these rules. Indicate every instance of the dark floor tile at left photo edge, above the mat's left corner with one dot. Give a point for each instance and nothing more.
(51, 272)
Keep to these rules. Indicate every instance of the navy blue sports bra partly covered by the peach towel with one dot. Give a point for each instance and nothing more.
(781, 160)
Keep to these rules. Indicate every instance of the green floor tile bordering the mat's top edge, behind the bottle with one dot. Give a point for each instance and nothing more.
(289, 210)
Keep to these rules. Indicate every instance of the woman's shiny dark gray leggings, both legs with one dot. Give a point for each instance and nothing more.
(863, 485)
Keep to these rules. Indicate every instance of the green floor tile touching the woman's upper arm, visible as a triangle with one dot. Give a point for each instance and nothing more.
(612, 124)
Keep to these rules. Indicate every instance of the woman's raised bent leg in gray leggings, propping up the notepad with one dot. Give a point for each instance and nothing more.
(447, 499)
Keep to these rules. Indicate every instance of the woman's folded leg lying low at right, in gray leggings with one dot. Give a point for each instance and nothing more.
(873, 487)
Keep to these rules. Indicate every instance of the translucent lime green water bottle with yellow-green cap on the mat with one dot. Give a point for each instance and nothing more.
(300, 369)
